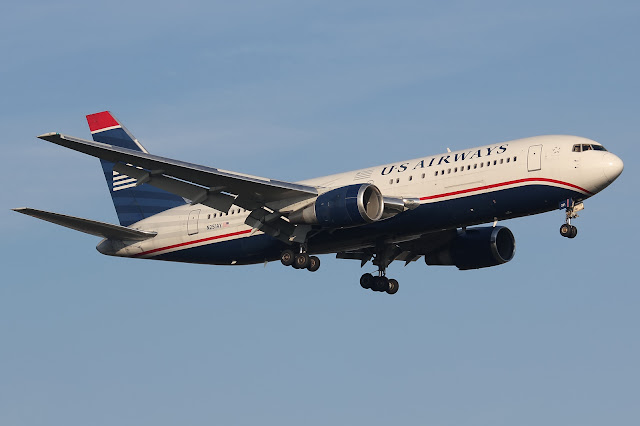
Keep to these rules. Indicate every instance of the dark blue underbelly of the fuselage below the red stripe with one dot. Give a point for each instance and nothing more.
(448, 214)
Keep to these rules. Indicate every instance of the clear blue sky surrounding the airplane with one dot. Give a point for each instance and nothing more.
(293, 90)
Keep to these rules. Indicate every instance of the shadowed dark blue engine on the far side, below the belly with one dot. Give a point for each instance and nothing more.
(476, 248)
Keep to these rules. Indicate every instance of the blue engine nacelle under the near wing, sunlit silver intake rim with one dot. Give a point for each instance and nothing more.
(343, 207)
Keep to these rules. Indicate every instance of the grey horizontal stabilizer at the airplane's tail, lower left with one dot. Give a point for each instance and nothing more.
(99, 229)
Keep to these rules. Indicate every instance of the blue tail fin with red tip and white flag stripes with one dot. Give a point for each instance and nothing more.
(133, 203)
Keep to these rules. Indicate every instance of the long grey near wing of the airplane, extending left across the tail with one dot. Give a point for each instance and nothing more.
(200, 184)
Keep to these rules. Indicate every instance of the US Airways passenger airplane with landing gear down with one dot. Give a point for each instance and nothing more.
(428, 207)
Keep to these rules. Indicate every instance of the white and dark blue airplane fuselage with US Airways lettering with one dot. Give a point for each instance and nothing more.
(460, 188)
